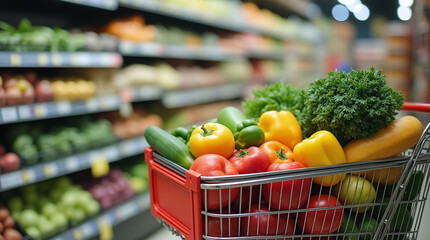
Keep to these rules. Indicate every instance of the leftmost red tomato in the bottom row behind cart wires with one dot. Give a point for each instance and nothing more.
(221, 226)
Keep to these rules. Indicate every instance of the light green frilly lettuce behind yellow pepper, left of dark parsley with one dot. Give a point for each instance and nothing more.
(277, 96)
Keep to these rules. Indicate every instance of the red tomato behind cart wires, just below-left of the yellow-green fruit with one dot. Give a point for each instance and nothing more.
(321, 221)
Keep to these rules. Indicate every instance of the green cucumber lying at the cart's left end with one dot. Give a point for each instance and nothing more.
(169, 146)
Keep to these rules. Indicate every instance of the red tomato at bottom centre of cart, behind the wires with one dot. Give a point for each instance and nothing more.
(266, 224)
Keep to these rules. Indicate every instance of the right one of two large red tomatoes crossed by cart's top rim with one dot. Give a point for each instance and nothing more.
(291, 194)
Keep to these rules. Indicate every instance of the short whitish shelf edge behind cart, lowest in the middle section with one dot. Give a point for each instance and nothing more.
(187, 97)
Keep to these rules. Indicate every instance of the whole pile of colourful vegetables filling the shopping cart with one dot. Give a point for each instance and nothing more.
(343, 118)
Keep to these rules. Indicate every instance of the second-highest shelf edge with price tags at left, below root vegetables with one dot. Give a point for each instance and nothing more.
(37, 111)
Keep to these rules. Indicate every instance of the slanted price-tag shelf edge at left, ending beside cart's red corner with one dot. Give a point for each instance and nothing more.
(63, 166)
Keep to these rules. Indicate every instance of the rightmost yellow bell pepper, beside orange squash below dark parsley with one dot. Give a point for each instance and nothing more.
(321, 149)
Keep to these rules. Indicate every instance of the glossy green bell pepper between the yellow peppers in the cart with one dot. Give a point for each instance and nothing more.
(248, 133)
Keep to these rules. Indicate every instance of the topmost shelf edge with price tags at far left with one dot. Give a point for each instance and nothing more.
(60, 59)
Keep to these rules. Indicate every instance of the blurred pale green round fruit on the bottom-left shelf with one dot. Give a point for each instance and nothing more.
(47, 208)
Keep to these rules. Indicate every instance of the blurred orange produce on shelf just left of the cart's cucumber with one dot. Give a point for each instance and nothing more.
(133, 125)
